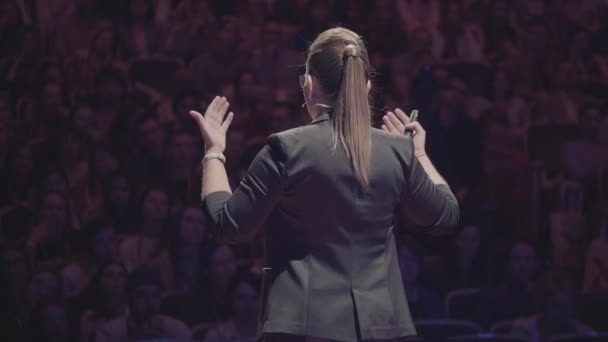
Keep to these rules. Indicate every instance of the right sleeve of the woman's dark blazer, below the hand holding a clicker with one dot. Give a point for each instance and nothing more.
(425, 206)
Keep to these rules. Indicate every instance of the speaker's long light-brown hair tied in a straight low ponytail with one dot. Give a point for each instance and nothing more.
(338, 59)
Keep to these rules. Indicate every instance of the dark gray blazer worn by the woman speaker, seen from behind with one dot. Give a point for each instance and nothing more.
(331, 266)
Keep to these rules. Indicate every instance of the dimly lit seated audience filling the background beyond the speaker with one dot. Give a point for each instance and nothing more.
(102, 236)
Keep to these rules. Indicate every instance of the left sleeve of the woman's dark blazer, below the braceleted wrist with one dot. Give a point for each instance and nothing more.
(239, 215)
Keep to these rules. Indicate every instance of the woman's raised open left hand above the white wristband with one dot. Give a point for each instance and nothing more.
(213, 126)
